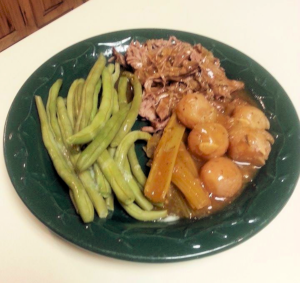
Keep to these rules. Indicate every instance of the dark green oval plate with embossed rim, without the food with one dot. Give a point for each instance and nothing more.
(120, 236)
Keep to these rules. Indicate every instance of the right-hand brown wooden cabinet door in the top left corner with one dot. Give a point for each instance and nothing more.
(46, 11)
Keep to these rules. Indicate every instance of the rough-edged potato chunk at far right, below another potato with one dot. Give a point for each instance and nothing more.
(249, 145)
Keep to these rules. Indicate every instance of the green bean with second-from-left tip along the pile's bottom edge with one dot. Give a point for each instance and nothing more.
(94, 193)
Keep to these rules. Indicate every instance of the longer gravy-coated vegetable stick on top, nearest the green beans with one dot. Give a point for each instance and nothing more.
(159, 179)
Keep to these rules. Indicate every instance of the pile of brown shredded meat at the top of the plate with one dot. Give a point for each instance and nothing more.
(169, 69)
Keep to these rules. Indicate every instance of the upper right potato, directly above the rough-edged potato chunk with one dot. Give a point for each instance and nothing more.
(251, 117)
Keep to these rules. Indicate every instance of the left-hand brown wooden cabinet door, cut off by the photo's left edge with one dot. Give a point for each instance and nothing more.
(16, 21)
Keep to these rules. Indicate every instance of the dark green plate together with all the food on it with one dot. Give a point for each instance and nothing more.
(153, 145)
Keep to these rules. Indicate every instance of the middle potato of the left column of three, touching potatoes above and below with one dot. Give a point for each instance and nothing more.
(208, 140)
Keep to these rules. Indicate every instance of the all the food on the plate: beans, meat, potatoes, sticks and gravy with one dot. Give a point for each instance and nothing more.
(208, 138)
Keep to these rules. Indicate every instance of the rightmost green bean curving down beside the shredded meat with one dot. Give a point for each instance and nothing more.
(132, 114)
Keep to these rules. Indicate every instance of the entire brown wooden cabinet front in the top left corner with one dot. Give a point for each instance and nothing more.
(19, 18)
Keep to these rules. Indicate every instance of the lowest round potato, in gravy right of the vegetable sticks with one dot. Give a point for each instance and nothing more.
(221, 177)
